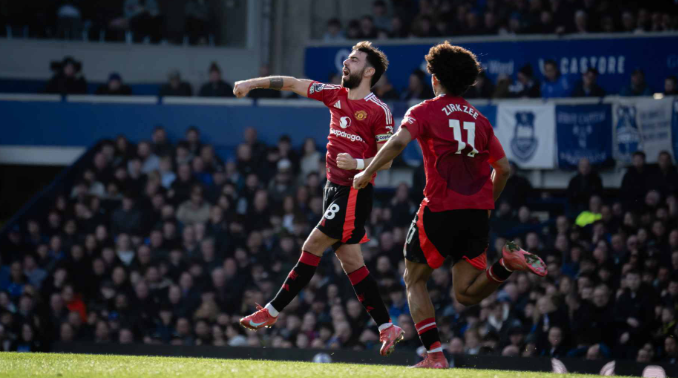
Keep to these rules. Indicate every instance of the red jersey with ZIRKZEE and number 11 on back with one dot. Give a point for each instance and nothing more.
(458, 144)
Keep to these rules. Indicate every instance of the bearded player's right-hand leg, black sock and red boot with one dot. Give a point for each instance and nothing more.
(367, 291)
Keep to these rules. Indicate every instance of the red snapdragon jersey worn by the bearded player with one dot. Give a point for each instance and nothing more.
(356, 127)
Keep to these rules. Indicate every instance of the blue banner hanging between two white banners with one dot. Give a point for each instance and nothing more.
(584, 131)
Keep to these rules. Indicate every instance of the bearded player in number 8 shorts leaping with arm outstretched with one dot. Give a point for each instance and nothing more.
(360, 124)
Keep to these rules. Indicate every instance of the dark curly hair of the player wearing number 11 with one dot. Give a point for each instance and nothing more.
(455, 67)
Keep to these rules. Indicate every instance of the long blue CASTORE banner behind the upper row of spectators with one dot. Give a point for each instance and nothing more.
(614, 58)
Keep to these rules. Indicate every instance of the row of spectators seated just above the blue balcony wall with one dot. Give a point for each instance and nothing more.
(68, 79)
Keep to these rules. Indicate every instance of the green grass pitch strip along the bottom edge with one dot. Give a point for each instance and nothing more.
(18, 365)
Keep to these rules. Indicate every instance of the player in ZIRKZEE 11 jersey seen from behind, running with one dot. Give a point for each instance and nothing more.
(459, 147)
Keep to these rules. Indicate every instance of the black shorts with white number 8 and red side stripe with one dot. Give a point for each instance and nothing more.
(345, 212)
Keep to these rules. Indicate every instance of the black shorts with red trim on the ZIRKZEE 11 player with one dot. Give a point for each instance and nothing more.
(461, 234)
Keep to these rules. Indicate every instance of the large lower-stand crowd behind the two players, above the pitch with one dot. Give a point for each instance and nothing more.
(165, 243)
